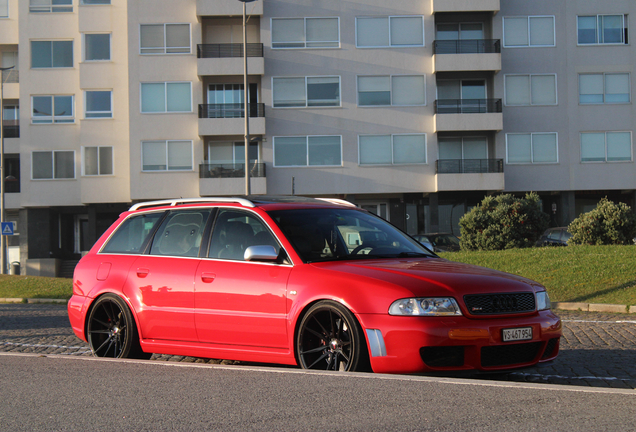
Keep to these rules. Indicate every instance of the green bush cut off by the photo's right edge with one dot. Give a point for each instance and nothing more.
(607, 224)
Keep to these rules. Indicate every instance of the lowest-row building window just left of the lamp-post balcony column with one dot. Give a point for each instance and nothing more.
(166, 156)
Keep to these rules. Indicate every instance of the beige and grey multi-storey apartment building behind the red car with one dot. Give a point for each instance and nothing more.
(414, 110)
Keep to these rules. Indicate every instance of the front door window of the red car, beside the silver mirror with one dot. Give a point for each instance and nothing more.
(235, 231)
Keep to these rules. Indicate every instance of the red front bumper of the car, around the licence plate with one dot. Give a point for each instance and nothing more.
(427, 344)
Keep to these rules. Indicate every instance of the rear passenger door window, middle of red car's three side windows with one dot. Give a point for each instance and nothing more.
(180, 234)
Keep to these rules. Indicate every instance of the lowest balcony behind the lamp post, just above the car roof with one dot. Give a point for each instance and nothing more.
(229, 179)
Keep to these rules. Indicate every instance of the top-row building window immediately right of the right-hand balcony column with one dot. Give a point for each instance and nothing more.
(531, 31)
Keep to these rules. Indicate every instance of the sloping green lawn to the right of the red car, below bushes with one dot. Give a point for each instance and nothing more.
(588, 274)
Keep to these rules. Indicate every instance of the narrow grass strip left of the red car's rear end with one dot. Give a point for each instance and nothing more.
(35, 287)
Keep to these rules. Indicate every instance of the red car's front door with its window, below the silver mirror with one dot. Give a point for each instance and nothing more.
(239, 302)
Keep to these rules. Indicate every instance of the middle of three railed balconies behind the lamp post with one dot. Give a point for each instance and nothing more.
(228, 119)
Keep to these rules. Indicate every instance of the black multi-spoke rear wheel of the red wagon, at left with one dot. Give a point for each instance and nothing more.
(111, 329)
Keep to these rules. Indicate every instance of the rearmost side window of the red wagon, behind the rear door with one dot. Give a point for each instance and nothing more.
(131, 235)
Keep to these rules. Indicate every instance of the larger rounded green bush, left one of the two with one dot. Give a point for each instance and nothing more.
(503, 222)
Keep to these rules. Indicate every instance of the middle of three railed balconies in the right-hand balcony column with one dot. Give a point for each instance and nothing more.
(468, 115)
